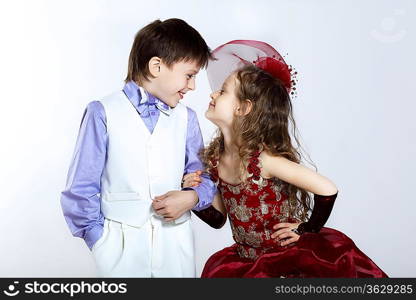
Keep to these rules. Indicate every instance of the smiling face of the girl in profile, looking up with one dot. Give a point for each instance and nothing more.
(224, 105)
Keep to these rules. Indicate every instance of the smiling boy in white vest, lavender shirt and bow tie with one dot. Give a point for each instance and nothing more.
(123, 194)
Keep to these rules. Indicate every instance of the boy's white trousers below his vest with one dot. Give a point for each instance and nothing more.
(156, 249)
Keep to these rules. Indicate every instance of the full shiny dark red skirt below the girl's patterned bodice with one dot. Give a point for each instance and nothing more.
(329, 254)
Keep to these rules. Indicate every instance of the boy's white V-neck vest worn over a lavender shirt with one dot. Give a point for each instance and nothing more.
(140, 165)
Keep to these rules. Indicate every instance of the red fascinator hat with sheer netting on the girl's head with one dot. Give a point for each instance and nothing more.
(235, 54)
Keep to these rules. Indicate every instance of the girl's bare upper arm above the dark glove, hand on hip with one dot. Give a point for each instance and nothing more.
(296, 174)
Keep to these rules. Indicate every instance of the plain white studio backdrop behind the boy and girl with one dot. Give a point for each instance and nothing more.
(355, 112)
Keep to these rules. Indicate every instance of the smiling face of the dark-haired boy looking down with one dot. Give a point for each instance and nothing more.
(173, 83)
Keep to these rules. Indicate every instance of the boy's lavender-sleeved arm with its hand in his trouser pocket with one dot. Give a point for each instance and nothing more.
(80, 200)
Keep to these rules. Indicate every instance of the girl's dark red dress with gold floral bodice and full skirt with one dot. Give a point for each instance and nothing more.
(253, 210)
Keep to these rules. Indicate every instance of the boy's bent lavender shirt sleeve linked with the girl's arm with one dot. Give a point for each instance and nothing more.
(194, 143)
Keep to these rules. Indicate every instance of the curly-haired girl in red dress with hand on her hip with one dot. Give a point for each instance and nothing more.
(264, 189)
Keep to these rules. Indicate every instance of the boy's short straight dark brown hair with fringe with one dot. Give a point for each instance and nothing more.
(172, 40)
